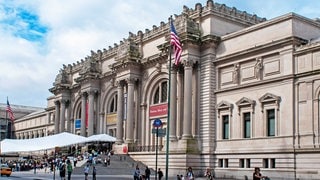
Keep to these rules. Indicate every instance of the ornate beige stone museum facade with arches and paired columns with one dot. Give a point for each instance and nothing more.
(245, 95)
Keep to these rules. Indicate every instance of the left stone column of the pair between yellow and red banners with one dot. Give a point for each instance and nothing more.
(120, 113)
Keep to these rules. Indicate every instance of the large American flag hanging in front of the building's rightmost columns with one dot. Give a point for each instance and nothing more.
(175, 42)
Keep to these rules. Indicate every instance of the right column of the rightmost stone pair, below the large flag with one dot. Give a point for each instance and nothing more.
(187, 113)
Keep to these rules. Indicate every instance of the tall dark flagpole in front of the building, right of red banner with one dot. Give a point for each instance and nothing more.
(168, 117)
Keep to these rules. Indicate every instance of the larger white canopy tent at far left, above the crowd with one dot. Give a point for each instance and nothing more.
(42, 143)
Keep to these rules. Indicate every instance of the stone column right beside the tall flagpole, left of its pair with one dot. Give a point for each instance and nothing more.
(173, 104)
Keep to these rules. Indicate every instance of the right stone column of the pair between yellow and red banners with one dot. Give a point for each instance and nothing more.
(130, 111)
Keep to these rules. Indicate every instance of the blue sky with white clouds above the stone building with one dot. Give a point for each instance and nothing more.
(38, 36)
